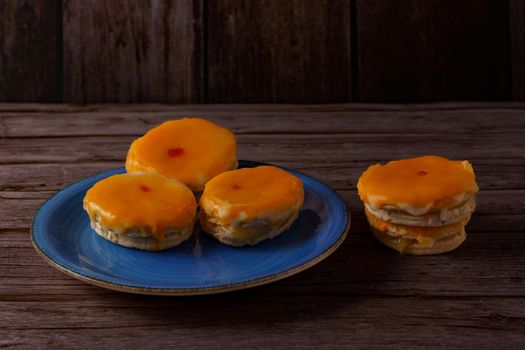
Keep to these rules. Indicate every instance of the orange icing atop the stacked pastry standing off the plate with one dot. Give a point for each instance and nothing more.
(419, 182)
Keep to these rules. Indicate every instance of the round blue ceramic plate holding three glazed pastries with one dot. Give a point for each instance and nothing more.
(62, 236)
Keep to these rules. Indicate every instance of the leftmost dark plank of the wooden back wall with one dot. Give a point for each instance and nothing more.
(29, 59)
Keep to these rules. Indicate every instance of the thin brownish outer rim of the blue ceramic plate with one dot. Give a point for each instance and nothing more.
(188, 291)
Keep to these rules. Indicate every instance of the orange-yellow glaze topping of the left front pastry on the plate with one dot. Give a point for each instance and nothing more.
(141, 201)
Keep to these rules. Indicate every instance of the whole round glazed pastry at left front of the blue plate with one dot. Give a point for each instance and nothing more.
(144, 211)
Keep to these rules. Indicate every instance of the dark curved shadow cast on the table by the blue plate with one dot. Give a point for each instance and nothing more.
(357, 268)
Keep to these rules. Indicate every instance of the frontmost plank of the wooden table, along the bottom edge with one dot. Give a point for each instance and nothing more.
(281, 323)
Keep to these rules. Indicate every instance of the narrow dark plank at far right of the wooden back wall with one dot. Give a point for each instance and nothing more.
(517, 48)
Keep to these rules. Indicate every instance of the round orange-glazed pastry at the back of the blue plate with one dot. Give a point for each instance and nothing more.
(190, 150)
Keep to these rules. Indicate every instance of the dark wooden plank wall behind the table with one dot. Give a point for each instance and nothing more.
(295, 51)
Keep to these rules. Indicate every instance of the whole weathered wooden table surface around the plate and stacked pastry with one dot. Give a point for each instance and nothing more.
(364, 295)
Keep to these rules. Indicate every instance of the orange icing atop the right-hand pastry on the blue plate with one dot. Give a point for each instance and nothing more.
(253, 191)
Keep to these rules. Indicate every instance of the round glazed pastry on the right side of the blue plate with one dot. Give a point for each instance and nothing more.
(249, 205)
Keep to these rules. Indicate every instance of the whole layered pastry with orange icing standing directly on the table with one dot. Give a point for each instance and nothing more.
(420, 205)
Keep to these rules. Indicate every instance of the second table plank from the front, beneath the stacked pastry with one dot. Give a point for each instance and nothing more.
(351, 271)
